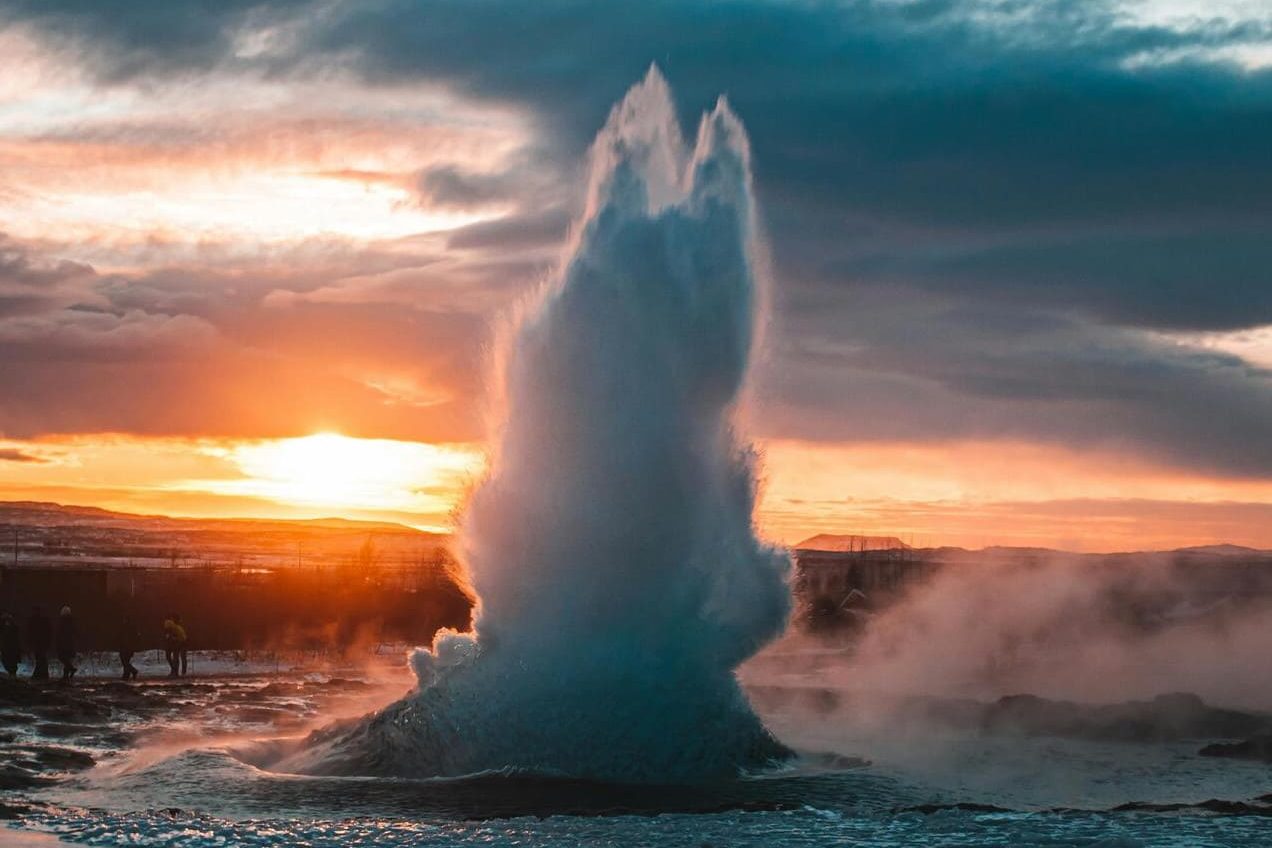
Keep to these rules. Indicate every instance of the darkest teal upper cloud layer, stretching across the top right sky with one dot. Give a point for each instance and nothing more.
(918, 115)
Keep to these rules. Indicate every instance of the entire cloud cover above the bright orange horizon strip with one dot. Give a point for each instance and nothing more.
(989, 222)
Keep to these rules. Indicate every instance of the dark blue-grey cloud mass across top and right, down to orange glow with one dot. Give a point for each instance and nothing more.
(976, 209)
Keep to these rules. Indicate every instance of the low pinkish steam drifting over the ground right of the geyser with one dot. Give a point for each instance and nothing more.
(1070, 631)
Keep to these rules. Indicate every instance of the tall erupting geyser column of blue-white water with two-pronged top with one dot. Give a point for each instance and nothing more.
(612, 549)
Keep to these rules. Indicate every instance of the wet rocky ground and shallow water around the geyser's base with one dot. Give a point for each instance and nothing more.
(169, 763)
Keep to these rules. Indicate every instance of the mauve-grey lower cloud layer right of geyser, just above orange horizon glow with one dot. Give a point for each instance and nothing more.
(886, 364)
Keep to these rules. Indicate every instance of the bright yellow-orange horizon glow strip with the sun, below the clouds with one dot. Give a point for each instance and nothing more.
(964, 494)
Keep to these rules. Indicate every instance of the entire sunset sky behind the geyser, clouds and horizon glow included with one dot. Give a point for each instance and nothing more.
(252, 255)
